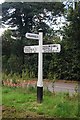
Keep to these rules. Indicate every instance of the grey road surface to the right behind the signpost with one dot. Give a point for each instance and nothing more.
(61, 86)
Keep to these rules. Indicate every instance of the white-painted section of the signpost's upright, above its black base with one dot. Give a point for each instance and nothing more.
(40, 62)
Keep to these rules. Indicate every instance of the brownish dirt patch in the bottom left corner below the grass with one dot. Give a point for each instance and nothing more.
(11, 112)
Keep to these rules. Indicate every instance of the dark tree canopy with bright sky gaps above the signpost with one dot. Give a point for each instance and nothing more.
(30, 17)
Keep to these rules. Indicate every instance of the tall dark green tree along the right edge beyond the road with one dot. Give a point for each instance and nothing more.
(71, 44)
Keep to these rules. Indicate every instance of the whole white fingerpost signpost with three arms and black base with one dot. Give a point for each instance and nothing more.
(40, 49)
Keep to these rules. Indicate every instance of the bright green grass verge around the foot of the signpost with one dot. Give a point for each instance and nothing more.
(53, 105)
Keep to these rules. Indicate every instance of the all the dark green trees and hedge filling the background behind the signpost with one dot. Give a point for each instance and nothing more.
(63, 65)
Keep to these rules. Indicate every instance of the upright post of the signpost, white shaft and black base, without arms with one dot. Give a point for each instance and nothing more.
(40, 70)
